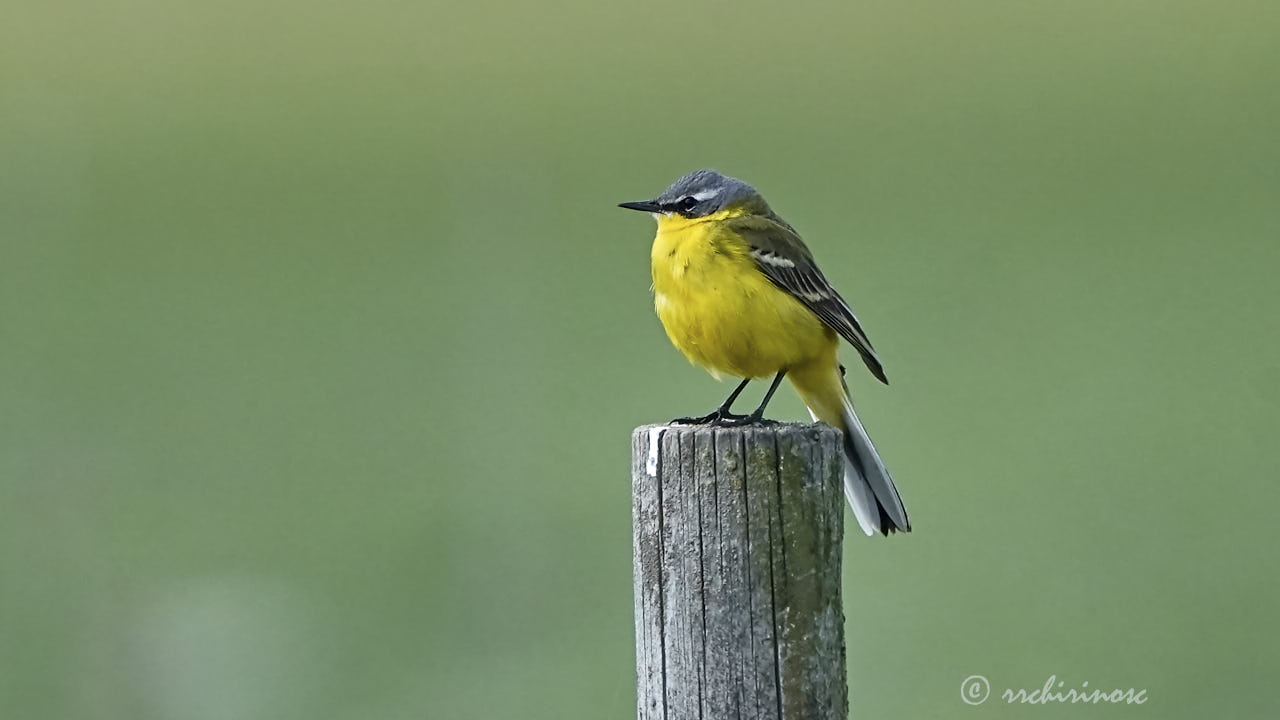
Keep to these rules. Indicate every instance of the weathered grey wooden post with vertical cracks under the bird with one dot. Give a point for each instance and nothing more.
(738, 537)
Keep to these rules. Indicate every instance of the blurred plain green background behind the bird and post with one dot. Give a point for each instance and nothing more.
(323, 341)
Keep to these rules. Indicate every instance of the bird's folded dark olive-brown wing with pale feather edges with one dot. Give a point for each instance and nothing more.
(783, 257)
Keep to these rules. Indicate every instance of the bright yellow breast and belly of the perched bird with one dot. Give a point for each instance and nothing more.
(721, 312)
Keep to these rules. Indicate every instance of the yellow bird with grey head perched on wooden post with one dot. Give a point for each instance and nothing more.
(740, 294)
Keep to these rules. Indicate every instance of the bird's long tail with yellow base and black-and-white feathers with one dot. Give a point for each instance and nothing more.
(870, 489)
